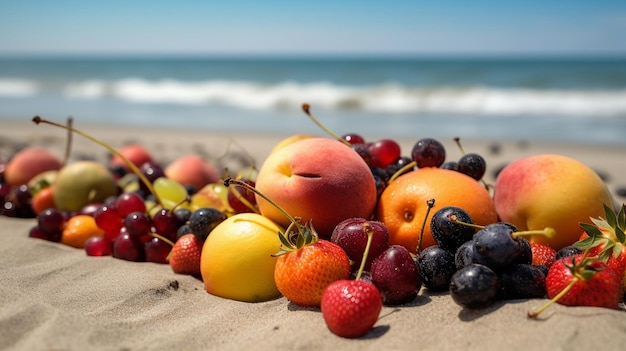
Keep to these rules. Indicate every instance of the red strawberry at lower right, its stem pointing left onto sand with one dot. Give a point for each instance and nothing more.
(581, 280)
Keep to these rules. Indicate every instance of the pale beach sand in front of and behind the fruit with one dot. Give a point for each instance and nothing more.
(54, 297)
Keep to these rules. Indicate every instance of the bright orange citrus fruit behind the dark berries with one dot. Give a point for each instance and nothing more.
(403, 204)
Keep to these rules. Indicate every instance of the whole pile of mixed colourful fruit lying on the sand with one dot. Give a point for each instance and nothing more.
(338, 223)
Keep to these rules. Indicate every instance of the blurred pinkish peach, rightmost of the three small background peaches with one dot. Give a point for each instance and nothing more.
(192, 170)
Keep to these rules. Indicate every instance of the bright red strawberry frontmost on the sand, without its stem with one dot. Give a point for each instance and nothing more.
(351, 307)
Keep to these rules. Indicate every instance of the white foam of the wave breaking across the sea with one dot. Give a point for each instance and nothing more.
(384, 98)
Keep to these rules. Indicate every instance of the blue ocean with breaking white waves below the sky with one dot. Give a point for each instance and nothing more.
(570, 100)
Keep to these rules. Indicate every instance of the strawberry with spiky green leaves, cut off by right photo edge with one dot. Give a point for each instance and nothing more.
(605, 238)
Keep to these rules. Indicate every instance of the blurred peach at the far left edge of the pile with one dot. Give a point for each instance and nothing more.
(28, 163)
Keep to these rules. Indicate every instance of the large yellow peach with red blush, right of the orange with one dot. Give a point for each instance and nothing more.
(550, 190)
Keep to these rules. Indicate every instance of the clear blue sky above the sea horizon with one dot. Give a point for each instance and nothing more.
(316, 27)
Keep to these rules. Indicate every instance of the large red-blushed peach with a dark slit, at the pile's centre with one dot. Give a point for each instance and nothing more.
(317, 179)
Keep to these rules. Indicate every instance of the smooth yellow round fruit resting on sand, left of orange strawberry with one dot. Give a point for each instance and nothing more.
(237, 261)
